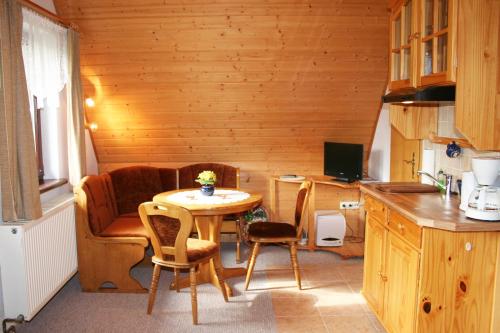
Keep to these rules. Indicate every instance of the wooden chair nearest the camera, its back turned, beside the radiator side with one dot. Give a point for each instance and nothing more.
(169, 227)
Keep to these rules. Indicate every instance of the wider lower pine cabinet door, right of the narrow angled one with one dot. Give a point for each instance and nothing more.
(400, 296)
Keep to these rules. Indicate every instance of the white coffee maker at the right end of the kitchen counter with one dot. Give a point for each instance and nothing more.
(484, 200)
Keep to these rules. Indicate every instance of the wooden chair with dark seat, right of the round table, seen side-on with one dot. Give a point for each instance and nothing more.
(279, 232)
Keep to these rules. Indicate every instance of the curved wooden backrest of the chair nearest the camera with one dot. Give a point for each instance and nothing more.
(168, 227)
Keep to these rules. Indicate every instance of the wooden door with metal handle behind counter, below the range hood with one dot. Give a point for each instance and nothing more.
(405, 158)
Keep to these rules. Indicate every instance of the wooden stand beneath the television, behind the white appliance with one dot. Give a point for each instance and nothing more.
(326, 193)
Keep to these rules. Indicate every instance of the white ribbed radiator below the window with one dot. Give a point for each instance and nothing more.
(37, 259)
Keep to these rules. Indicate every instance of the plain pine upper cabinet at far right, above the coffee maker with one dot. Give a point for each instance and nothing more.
(477, 107)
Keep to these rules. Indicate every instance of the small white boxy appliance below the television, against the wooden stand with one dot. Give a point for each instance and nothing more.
(330, 228)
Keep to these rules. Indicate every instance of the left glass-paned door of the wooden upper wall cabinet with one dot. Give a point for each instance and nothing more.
(402, 34)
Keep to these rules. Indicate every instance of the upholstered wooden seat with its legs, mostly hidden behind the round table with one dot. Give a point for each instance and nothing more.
(227, 176)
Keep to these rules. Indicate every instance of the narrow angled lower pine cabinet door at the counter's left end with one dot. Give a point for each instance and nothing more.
(373, 284)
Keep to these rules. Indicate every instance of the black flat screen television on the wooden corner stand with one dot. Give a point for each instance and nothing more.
(344, 161)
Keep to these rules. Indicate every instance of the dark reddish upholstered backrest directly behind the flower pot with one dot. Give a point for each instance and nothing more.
(227, 176)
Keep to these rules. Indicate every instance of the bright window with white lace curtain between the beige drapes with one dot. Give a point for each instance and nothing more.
(44, 49)
